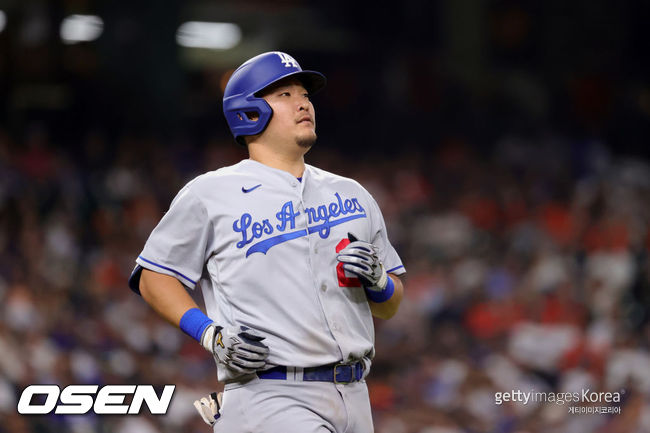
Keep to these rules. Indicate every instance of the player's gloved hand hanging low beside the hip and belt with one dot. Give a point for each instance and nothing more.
(237, 347)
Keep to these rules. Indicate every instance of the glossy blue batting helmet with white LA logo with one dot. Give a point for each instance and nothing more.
(240, 96)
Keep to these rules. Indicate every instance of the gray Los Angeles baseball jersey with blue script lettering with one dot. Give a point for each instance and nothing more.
(262, 247)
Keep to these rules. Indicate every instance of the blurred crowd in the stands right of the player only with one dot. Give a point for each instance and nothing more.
(527, 271)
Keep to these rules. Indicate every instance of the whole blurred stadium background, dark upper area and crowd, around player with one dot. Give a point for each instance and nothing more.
(506, 142)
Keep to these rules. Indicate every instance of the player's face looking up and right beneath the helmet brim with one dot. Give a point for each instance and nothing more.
(293, 117)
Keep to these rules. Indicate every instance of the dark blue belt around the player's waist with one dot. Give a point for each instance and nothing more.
(337, 373)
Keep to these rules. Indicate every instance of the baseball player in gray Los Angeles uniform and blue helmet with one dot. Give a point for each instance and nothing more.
(292, 261)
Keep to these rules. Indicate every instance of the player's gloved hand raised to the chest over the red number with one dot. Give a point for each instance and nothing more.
(362, 259)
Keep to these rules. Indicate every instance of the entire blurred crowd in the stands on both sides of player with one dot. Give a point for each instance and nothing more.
(528, 269)
